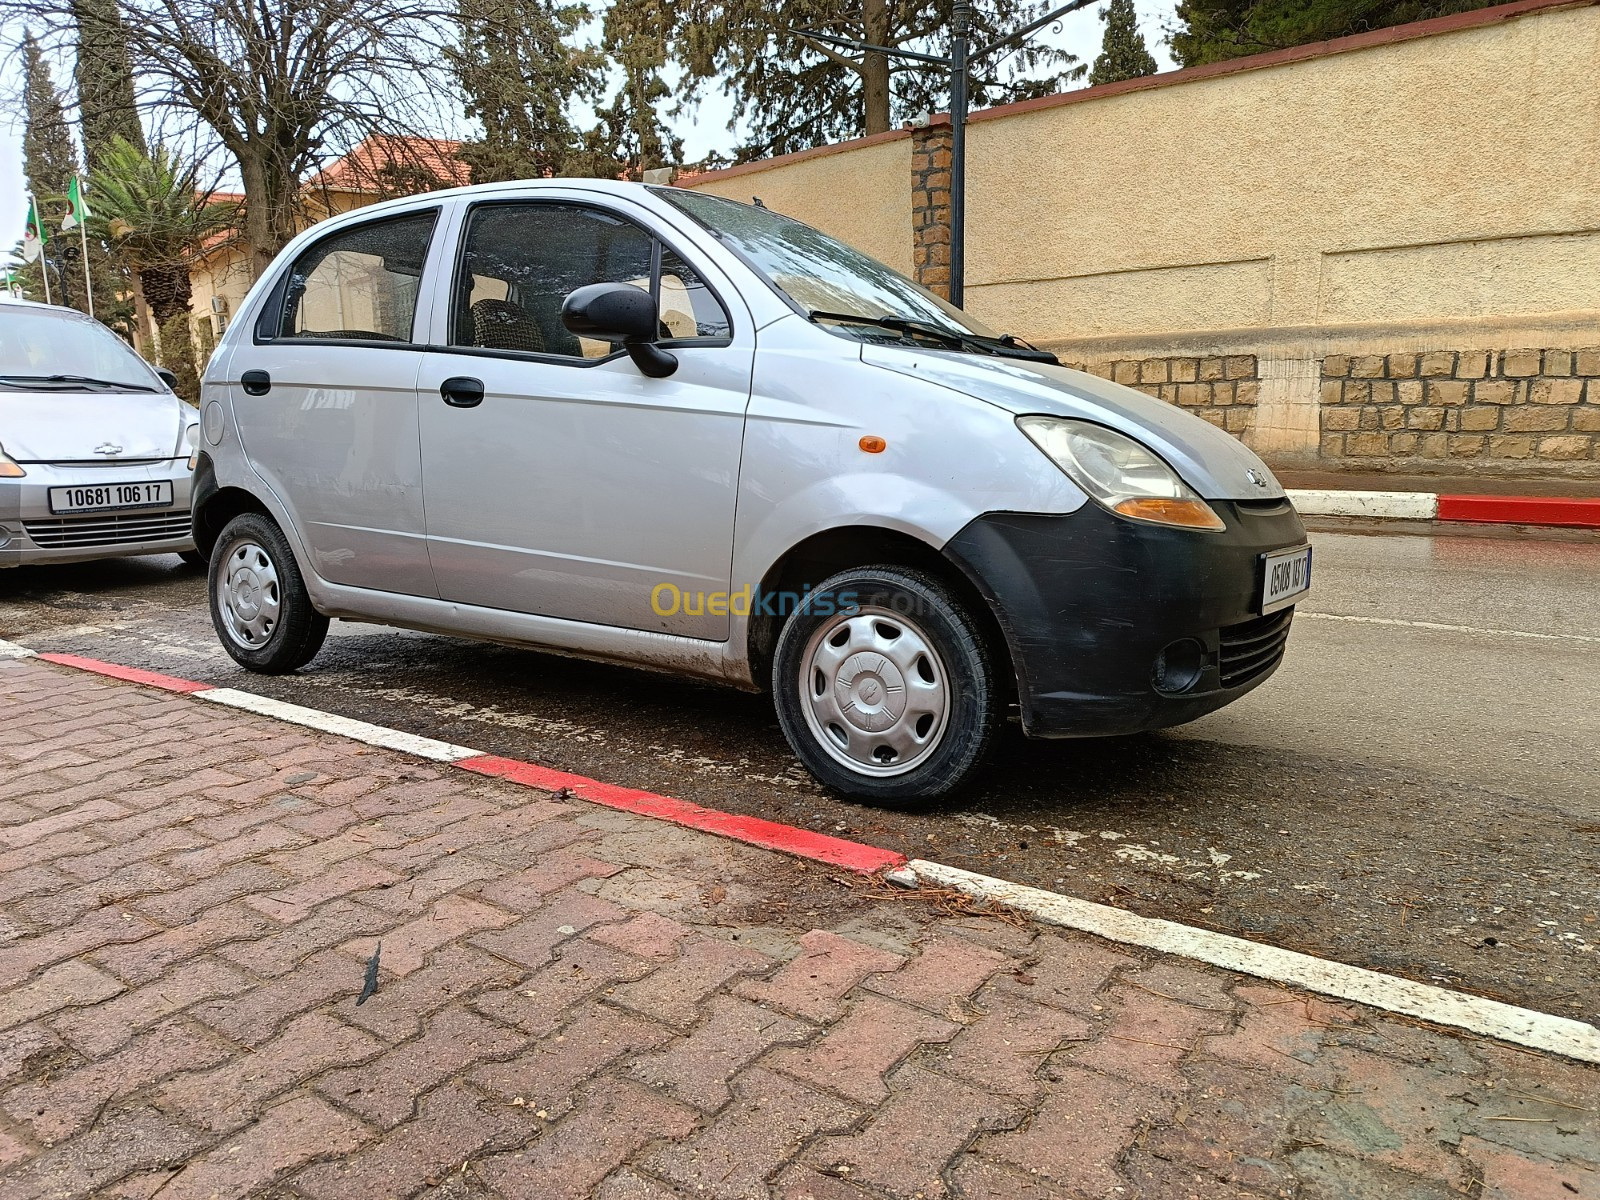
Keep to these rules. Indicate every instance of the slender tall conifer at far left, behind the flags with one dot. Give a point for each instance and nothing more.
(49, 161)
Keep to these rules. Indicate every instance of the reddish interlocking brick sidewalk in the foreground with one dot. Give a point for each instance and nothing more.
(577, 1002)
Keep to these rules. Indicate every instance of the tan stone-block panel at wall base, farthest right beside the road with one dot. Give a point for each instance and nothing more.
(1470, 407)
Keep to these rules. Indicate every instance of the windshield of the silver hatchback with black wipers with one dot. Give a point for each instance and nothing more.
(822, 274)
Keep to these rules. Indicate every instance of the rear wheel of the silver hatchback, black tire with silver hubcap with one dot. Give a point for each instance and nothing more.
(287, 642)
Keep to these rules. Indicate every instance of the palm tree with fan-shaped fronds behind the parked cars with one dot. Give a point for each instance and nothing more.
(156, 217)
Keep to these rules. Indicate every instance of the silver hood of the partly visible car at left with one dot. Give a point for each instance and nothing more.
(68, 426)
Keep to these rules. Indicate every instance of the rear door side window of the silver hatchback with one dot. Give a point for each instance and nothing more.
(359, 284)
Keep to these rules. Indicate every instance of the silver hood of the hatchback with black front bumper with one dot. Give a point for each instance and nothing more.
(1215, 465)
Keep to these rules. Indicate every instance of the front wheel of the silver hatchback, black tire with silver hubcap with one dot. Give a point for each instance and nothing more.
(887, 599)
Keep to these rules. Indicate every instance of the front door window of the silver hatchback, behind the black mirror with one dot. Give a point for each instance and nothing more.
(521, 262)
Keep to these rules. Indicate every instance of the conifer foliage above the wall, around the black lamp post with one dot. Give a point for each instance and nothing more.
(796, 94)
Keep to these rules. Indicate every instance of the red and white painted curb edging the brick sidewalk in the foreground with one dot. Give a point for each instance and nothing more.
(1439, 1006)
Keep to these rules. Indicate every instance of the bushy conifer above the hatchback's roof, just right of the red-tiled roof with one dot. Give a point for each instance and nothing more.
(518, 71)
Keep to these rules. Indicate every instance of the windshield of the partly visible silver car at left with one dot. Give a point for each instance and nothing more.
(41, 343)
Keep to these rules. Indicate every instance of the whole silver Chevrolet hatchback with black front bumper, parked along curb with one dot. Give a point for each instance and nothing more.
(668, 430)
